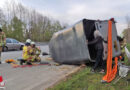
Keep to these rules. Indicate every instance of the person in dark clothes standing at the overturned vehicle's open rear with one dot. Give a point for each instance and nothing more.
(98, 41)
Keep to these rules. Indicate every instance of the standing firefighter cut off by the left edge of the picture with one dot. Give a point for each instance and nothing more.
(2, 41)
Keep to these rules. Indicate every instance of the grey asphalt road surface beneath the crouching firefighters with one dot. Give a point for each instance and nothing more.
(31, 78)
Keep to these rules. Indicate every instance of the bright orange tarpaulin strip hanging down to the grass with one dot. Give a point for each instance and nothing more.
(111, 72)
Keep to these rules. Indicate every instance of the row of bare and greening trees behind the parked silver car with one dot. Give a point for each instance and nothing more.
(33, 24)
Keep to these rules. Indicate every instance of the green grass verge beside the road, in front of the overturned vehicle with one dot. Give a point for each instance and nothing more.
(85, 80)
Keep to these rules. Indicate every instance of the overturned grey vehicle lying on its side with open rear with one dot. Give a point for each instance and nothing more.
(69, 46)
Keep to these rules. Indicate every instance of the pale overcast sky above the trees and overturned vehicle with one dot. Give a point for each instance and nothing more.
(71, 11)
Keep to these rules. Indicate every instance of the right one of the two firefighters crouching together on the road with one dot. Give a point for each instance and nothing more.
(35, 52)
